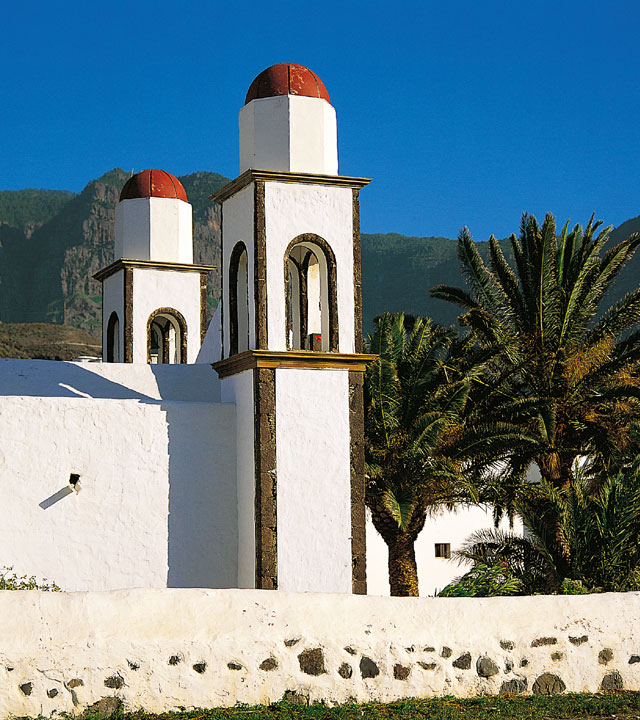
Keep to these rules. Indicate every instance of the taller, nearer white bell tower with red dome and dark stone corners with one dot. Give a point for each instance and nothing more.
(292, 341)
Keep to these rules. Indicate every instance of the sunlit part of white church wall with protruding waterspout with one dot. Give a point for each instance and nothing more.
(112, 533)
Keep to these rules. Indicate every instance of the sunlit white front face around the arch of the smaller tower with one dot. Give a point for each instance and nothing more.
(153, 289)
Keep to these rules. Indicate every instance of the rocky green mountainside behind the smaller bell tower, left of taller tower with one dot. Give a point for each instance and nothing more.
(49, 251)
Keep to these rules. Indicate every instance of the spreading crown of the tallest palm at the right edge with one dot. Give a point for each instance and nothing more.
(564, 371)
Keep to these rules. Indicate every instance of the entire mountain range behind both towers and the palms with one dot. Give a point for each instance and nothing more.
(52, 242)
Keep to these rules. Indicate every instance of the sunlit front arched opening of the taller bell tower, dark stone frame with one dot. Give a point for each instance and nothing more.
(310, 294)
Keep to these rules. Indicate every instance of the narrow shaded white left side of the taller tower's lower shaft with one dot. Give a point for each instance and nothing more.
(238, 389)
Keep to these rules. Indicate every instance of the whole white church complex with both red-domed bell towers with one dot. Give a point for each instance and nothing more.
(223, 457)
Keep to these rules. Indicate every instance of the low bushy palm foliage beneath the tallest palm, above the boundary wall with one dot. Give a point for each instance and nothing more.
(599, 520)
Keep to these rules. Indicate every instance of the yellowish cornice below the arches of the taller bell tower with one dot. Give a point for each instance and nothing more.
(251, 359)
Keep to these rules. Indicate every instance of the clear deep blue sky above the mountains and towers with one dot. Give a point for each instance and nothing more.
(463, 112)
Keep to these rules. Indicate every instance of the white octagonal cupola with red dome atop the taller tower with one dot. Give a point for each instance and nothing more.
(288, 124)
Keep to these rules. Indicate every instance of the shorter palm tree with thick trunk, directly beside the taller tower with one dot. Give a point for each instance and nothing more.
(417, 440)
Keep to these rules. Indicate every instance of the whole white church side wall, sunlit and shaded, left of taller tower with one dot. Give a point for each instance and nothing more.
(156, 501)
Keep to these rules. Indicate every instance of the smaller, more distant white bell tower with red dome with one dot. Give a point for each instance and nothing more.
(153, 295)
